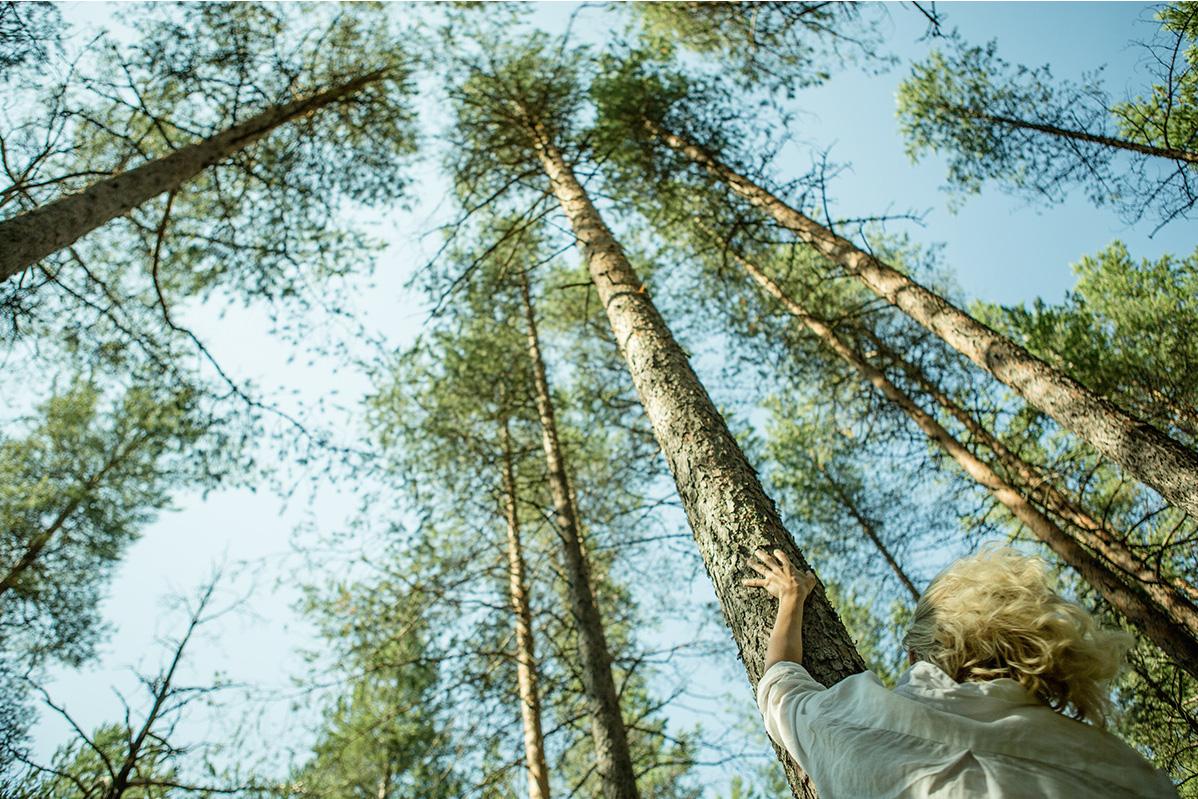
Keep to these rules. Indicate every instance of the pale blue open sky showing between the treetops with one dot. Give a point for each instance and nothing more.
(1000, 249)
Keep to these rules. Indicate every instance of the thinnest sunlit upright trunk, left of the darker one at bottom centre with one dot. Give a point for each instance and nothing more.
(527, 651)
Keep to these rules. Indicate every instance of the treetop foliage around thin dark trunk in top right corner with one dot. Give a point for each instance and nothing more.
(1038, 136)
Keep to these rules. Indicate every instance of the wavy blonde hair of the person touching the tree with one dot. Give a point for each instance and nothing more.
(996, 615)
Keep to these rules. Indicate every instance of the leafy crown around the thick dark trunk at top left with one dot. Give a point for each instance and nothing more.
(198, 70)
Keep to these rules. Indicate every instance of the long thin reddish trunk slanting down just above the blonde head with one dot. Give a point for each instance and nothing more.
(1155, 622)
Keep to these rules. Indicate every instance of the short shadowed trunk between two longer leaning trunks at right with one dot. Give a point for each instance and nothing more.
(1176, 595)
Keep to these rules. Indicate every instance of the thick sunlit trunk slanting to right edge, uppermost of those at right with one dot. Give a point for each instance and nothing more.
(1148, 455)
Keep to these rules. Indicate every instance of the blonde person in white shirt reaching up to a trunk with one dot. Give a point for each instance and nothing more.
(1006, 695)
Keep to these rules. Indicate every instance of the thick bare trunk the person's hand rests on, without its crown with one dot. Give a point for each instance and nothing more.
(729, 512)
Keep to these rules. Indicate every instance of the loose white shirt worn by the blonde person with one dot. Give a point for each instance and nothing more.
(935, 737)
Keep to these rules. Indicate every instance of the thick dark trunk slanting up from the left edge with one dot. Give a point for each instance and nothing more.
(43, 232)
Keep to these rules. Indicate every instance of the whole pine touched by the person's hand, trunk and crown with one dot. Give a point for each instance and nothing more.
(518, 113)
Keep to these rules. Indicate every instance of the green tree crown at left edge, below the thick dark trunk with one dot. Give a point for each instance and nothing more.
(77, 489)
